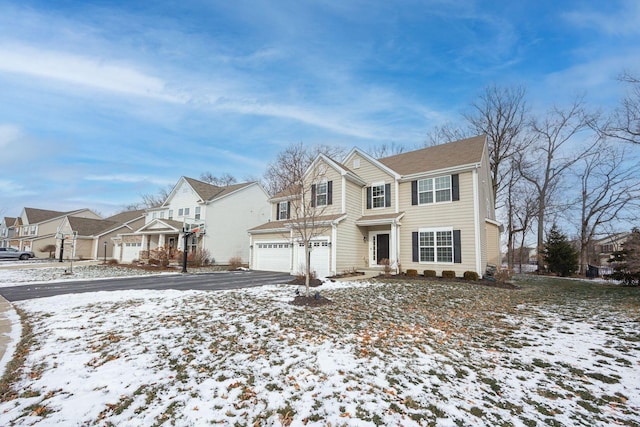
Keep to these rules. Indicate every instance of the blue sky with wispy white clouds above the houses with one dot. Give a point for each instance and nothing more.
(102, 101)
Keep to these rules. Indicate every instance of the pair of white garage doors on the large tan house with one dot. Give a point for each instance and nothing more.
(278, 256)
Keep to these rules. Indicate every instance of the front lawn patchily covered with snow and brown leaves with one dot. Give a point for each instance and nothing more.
(553, 352)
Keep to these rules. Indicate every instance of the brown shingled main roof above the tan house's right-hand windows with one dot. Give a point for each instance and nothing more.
(458, 153)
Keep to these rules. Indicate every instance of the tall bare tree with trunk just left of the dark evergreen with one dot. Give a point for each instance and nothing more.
(552, 156)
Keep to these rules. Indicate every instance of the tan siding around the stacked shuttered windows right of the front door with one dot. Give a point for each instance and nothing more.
(459, 215)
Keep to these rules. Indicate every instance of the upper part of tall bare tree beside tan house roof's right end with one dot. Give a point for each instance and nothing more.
(501, 114)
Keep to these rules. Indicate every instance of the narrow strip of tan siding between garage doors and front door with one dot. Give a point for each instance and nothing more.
(351, 251)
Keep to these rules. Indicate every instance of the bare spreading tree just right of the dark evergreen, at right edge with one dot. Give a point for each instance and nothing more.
(609, 187)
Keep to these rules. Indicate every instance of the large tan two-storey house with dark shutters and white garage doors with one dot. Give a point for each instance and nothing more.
(429, 209)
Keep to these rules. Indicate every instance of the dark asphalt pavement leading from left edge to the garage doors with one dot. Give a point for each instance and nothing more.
(204, 282)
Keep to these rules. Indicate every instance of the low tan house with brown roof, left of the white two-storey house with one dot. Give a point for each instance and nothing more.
(93, 238)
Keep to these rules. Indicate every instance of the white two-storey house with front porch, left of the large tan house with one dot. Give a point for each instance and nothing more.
(222, 215)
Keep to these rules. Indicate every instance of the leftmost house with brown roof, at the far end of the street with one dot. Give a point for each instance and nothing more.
(36, 229)
